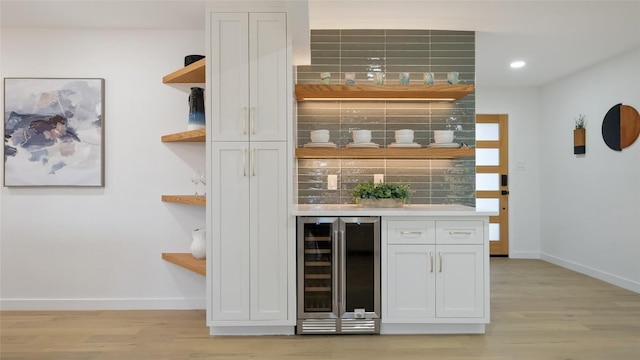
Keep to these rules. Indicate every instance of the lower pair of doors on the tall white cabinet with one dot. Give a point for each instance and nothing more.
(249, 239)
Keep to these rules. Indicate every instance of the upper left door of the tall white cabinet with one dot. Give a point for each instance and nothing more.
(229, 77)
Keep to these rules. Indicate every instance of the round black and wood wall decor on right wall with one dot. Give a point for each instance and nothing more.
(620, 127)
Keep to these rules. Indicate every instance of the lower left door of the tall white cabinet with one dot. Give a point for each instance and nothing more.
(229, 204)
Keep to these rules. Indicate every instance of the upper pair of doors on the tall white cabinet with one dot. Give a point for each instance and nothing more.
(248, 76)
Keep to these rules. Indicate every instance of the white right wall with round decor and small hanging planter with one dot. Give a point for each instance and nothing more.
(590, 212)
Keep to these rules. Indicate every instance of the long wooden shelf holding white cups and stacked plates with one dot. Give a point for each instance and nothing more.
(387, 153)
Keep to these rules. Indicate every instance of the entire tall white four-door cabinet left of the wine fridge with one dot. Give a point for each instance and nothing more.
(248, 277)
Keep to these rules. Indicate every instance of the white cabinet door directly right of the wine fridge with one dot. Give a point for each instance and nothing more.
(410, 281)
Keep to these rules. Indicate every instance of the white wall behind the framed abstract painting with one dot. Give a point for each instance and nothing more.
(100, 248)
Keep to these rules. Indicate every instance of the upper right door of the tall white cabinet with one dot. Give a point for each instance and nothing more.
(268, 76)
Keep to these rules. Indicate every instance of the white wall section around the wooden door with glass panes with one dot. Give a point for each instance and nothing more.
(522, 107)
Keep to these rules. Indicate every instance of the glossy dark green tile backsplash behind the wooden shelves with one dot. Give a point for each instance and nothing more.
(390, 52)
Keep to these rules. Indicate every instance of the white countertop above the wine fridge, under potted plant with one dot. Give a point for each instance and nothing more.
(407, 210)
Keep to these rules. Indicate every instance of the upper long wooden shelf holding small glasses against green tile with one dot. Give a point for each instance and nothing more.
(383, 92)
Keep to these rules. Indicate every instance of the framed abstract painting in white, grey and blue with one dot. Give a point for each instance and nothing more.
(53, 132)
